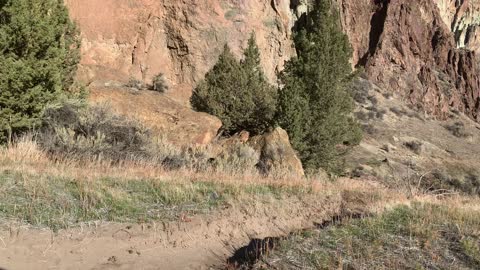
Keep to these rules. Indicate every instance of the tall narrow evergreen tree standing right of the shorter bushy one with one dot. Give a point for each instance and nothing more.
(315, 106)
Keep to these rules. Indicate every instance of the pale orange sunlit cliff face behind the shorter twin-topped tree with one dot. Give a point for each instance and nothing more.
(182, 39)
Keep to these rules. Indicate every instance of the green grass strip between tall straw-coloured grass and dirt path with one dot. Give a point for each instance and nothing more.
(60, 203)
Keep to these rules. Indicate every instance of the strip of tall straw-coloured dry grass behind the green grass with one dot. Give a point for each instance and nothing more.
(25, 157)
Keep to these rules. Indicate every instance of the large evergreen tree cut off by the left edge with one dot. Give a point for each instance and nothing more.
(38, 57)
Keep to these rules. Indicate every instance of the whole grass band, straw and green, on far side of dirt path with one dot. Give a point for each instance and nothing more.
(37, 190)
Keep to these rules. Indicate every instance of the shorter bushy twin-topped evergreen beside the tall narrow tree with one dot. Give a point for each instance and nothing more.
(237, 92)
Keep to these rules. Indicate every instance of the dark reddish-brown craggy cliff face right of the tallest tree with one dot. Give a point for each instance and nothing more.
(405, 46)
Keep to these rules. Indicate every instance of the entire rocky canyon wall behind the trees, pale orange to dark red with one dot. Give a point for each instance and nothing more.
(424, 49)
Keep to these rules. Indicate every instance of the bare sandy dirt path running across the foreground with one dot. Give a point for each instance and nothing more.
(204, 242)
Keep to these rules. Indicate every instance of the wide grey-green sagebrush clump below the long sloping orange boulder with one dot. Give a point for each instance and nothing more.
(72, 130)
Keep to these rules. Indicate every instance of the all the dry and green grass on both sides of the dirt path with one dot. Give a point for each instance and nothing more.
(429, 229)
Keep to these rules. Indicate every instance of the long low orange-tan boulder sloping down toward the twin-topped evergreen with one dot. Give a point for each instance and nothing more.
(165, 117)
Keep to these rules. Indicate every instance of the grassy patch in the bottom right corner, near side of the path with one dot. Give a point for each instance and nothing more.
(417, 237)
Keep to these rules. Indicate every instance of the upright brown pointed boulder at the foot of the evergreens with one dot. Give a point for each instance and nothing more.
(276, 154)
